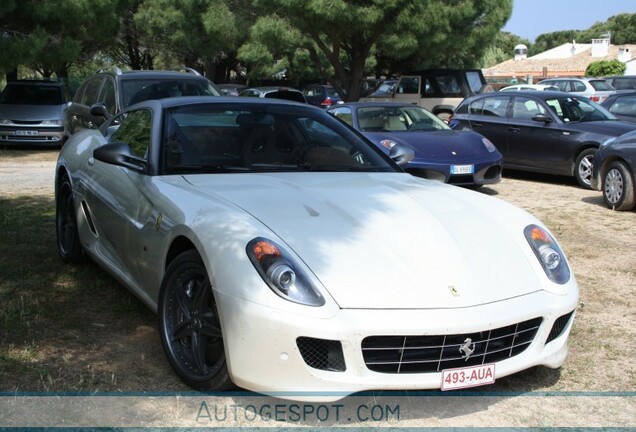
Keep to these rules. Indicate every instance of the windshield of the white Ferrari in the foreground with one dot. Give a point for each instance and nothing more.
(210, 139)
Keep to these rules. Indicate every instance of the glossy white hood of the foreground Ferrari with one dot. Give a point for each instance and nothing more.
(390, 240)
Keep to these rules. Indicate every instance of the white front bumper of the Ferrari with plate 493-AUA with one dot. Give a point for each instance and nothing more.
(263, 353)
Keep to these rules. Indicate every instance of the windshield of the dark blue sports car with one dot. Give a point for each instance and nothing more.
(402, 118)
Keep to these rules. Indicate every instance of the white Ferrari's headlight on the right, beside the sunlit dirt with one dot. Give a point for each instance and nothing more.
(548, 253)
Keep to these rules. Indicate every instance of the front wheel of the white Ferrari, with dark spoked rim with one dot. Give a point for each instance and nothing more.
(189, 325)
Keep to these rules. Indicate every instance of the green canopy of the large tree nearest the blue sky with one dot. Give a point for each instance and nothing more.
(340, 36)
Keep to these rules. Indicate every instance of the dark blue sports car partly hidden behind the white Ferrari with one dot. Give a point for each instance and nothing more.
(457, 157)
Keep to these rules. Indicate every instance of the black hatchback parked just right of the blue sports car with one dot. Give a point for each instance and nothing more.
(546, 132)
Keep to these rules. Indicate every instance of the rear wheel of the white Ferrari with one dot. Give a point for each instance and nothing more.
(68, 243)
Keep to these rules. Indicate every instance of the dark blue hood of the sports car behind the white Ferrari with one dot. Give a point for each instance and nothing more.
(443, 144)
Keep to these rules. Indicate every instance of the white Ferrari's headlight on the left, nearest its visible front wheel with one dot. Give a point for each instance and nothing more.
(281, 273)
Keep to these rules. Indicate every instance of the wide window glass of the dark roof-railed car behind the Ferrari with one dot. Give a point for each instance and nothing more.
(139, 90)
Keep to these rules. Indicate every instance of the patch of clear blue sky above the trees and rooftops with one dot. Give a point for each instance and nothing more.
(530, 18)
